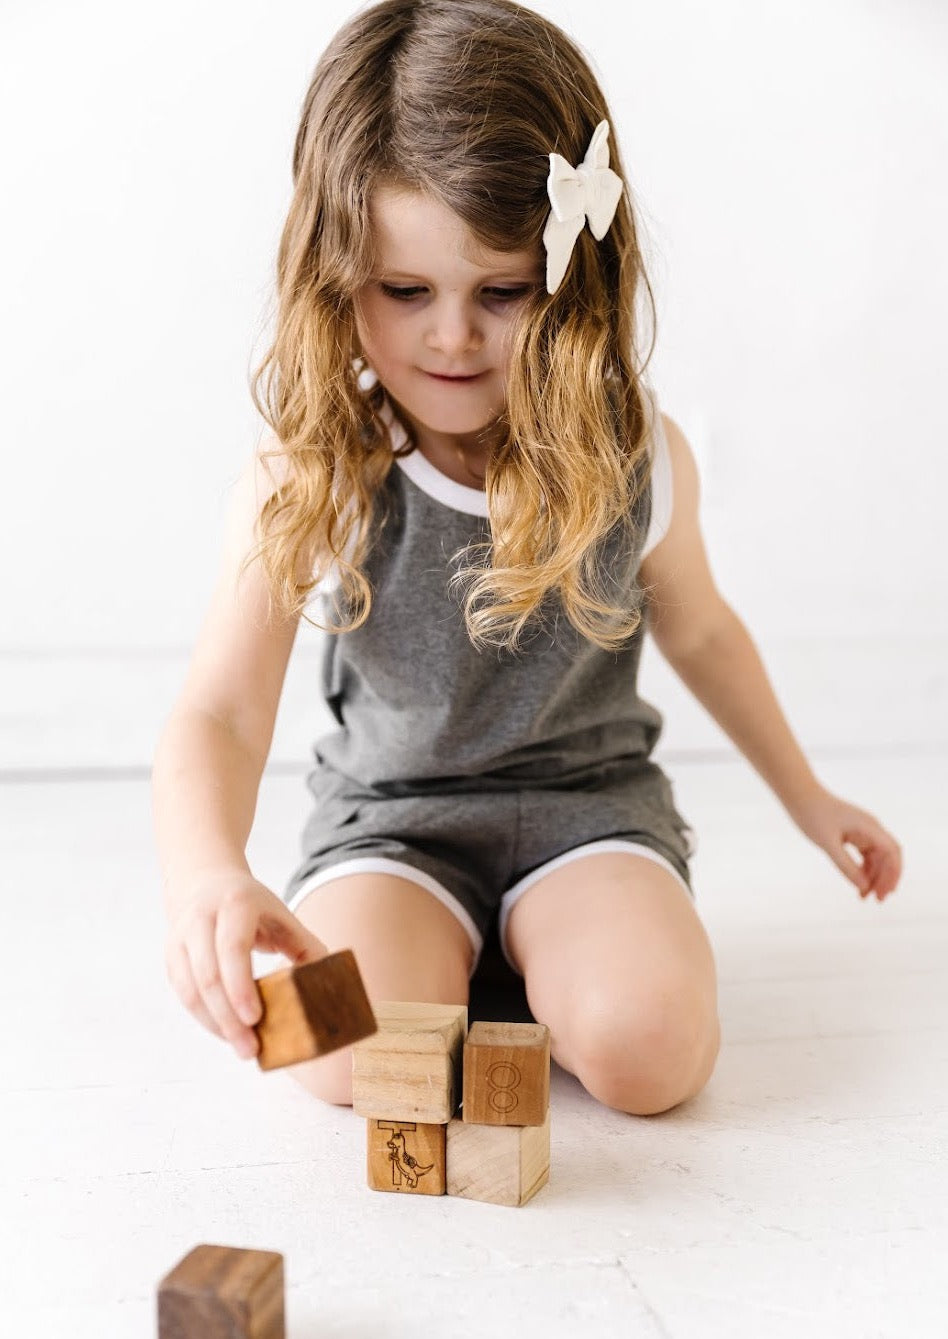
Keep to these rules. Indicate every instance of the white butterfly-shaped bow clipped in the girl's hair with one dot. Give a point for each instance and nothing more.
(590, 192)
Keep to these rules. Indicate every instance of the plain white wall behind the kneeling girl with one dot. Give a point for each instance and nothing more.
(789, 163)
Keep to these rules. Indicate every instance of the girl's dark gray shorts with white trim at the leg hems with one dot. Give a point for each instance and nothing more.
(479, 851)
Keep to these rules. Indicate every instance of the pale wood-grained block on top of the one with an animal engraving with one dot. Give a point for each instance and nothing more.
(410, 1069)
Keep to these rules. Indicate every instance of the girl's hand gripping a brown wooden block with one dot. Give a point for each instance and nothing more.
(215, 923)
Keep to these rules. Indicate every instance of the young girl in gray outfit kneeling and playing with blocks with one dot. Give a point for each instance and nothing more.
(469, 484)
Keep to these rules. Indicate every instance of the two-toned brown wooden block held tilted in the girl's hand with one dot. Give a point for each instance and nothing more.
(313, 1010)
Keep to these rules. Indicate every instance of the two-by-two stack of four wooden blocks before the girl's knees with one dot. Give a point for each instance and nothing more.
(408, 1081)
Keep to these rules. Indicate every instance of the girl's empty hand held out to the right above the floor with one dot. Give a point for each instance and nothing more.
(834, 824)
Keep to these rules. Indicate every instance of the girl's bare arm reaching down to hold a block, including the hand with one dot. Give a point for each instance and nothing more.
(207, 775)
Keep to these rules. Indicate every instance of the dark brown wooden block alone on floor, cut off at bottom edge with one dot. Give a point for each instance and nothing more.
(223, 1293)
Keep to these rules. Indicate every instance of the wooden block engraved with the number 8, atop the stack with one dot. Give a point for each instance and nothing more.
(507, 1075)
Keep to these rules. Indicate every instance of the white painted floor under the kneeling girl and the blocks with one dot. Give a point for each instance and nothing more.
(803, 1194)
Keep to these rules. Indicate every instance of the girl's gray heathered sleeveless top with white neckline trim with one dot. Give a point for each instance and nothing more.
(420, 709)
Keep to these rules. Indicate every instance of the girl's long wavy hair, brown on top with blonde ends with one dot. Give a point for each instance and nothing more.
(463, 100)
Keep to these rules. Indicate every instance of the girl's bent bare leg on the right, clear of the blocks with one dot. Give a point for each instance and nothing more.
(619, 966)
